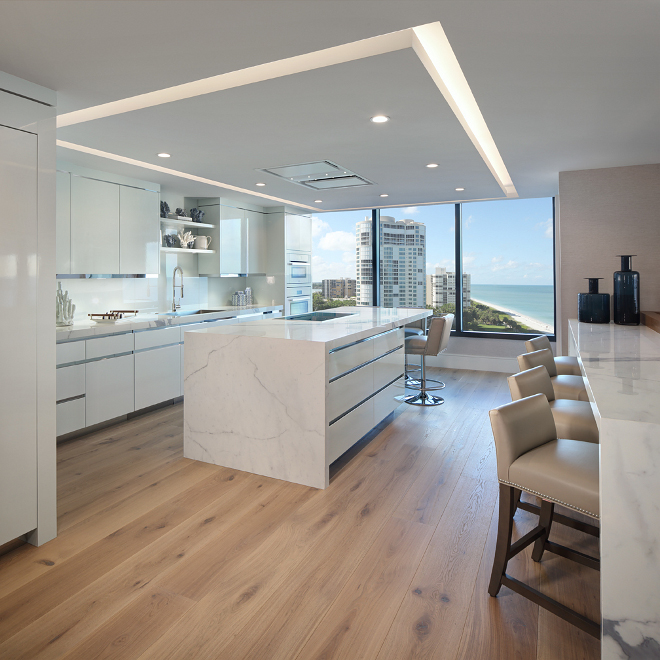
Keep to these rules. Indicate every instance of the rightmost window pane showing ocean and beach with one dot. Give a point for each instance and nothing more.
(508, 265)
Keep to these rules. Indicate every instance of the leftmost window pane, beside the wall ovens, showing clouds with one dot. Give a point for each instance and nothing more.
(341, 240)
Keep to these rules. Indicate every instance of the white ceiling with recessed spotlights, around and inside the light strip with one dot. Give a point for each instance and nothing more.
(561, 85)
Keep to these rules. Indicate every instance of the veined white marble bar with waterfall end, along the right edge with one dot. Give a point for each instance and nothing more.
(621, 365)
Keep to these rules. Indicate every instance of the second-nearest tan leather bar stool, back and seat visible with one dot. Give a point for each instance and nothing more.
(573, 419)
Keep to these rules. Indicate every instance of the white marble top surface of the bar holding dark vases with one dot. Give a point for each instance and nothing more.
(622, 367)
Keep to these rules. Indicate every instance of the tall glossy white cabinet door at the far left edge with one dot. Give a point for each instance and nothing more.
(18, 387)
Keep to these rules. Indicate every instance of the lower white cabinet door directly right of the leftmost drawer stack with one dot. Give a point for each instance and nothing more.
(110, 386)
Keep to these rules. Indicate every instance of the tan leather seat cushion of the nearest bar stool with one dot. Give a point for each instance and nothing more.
(563, 471)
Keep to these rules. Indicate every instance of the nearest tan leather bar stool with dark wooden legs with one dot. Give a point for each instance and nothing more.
(531, 458)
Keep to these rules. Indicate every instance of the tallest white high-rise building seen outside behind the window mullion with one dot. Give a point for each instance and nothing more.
(403, 262)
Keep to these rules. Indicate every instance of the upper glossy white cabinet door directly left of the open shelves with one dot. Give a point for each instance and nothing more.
(139, 231)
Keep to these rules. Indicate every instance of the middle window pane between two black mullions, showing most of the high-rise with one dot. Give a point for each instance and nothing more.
(417, 257)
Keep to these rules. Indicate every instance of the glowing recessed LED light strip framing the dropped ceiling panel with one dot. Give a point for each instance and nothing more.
(429, 42)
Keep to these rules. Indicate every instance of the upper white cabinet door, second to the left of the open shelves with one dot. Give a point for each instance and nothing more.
(94, 226)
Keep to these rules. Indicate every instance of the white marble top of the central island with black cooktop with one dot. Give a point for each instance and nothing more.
(362, 322)
